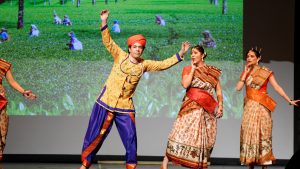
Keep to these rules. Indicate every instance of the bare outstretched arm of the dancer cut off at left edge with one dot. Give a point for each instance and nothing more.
(14, 84)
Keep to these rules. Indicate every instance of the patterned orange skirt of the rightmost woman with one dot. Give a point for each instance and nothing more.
(256, 135)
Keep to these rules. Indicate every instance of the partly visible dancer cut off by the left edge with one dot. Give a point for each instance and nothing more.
(5, 72)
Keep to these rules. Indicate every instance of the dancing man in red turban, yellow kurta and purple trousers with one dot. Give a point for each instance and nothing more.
(115, 104)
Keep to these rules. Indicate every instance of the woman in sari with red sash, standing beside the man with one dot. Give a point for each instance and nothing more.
(192, 138)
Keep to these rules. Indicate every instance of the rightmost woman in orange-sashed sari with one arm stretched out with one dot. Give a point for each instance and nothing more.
(256, 125)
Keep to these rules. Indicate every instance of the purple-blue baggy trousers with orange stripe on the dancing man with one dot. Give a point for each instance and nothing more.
(100, 124)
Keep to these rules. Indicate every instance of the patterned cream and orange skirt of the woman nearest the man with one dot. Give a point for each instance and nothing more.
(192, 137)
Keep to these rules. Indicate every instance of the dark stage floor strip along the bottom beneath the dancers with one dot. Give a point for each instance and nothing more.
(109, 166)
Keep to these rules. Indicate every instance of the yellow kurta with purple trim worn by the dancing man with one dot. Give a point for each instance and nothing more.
(118, 90)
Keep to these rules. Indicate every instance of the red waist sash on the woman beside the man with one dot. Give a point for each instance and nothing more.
(203, 98)
